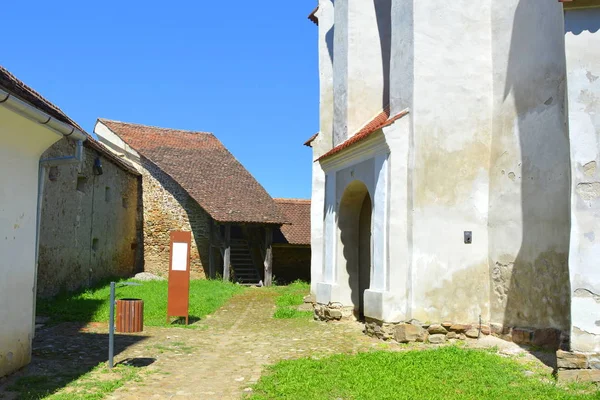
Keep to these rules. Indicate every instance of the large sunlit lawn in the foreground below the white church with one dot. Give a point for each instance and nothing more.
(445, 373)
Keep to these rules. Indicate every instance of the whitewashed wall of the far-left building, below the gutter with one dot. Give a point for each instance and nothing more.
(21, 145)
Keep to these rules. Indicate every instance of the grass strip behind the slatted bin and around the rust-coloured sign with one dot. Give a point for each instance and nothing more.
(92, 305)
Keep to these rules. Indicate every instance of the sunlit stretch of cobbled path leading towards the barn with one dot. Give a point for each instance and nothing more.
(222, 361)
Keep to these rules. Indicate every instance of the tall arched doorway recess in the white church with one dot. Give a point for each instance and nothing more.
(354, 223)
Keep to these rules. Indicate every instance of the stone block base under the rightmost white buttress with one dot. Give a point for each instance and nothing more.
(576, 366)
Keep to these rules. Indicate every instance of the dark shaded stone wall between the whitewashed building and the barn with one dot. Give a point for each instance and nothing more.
(89, 222)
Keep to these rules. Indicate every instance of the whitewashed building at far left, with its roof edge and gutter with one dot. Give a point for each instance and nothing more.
(29, 124)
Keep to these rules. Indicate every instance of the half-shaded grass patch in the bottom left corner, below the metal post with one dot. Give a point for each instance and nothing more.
(94, 385)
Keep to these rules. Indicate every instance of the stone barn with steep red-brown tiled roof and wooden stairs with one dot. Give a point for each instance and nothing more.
(192, 182)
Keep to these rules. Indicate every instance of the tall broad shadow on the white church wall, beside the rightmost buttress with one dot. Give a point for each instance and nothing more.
(535, 285)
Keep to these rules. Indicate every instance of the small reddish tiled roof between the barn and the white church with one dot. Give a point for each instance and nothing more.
(297, 212)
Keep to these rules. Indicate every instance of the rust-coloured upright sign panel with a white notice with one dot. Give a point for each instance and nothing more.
(179, 276)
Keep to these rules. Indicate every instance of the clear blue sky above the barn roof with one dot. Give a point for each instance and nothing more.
(246, 71)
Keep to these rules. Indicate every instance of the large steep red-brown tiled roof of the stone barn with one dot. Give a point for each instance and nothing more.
(210, 174)
